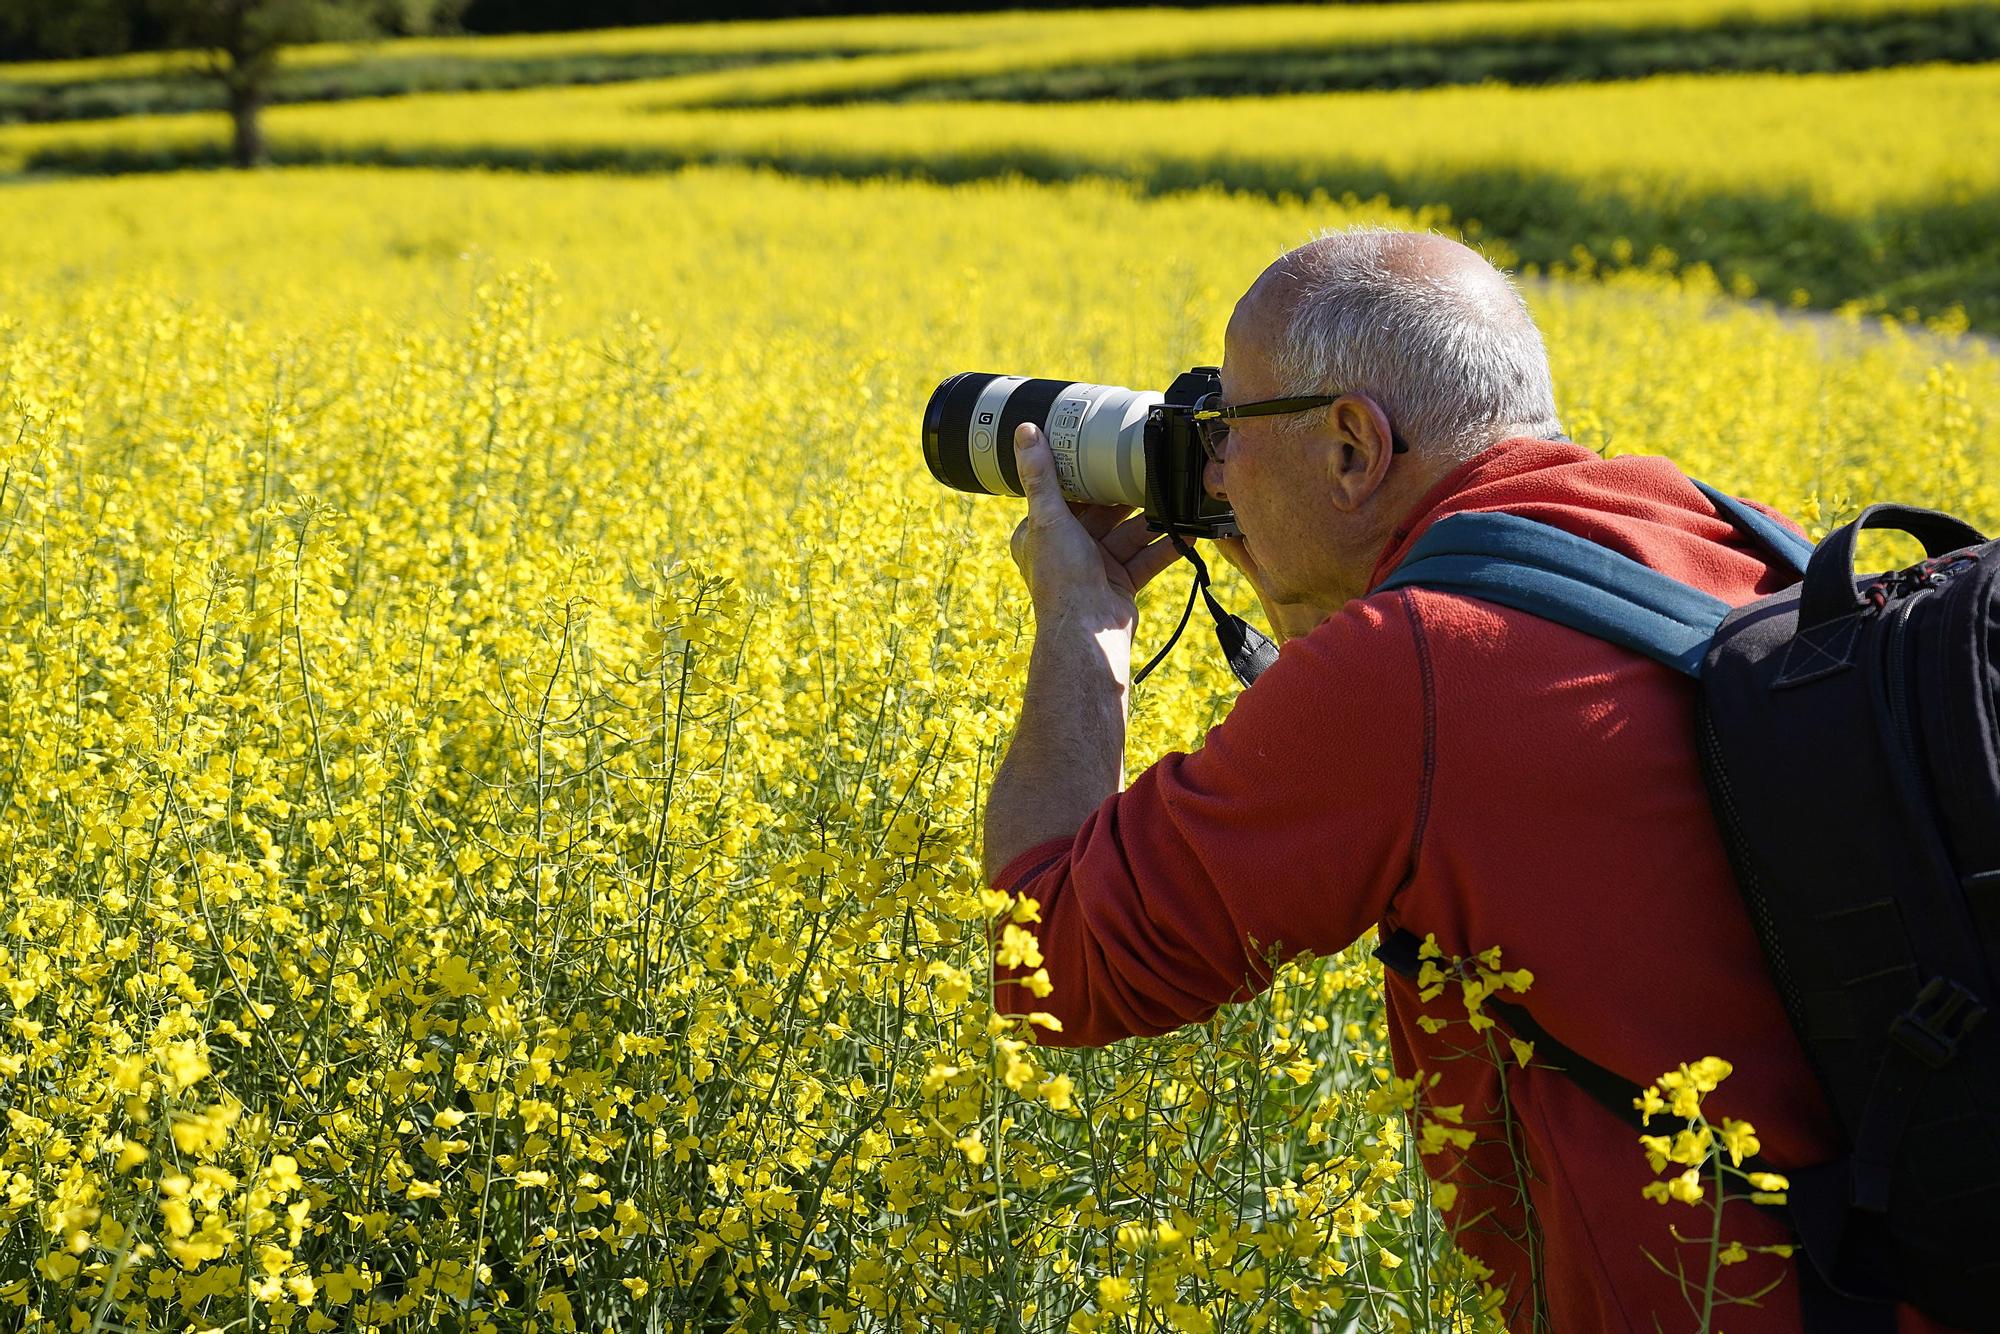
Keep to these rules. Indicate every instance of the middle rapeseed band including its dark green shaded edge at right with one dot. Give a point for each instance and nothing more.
(1871, 191)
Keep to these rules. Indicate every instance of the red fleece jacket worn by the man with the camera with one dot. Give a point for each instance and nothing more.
(1493, 779)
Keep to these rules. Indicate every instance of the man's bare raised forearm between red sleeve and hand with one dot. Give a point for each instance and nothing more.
(1069, 749)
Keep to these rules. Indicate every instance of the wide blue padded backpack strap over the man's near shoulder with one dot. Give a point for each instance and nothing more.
(1555, 575)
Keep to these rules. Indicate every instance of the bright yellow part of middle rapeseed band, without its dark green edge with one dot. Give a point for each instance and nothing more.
(1845, 145)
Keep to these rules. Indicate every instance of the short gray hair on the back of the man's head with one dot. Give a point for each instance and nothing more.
(1451, 355)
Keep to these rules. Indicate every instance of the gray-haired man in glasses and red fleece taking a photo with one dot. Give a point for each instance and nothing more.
(1415, 761)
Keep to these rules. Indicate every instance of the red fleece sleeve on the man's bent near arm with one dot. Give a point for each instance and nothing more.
(1289, 831)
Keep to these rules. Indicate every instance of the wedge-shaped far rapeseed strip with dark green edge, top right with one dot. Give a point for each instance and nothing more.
(1365, 47)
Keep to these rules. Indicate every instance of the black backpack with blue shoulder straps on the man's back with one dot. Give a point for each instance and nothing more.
(1849, 733)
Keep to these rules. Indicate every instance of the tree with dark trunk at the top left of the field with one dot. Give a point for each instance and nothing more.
(243, 41)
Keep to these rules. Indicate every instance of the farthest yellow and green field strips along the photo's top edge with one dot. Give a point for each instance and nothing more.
(1075, 55)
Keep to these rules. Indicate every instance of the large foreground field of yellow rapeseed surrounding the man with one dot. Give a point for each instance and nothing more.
(493, 733)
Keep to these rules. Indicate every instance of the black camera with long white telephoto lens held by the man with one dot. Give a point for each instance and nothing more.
(1111, 445)
